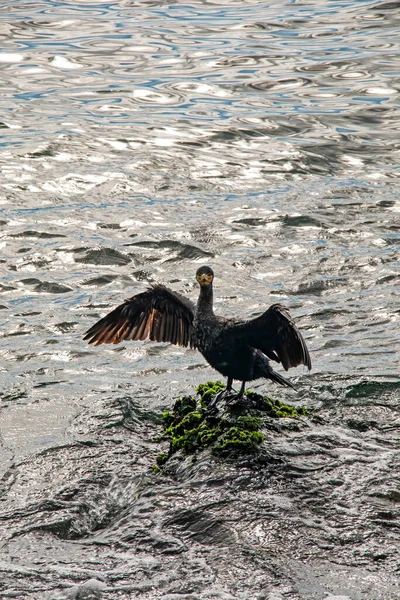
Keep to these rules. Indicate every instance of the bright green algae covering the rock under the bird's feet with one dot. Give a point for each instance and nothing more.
(233, 431)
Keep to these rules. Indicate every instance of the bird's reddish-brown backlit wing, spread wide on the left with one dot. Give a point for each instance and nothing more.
(158, 313)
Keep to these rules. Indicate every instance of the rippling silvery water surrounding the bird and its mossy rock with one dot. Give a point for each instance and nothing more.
(140, 141)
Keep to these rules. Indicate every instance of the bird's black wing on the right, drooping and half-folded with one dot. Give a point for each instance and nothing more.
(276, 335)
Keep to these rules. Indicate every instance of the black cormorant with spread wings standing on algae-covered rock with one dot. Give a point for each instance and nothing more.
(238, 349)
